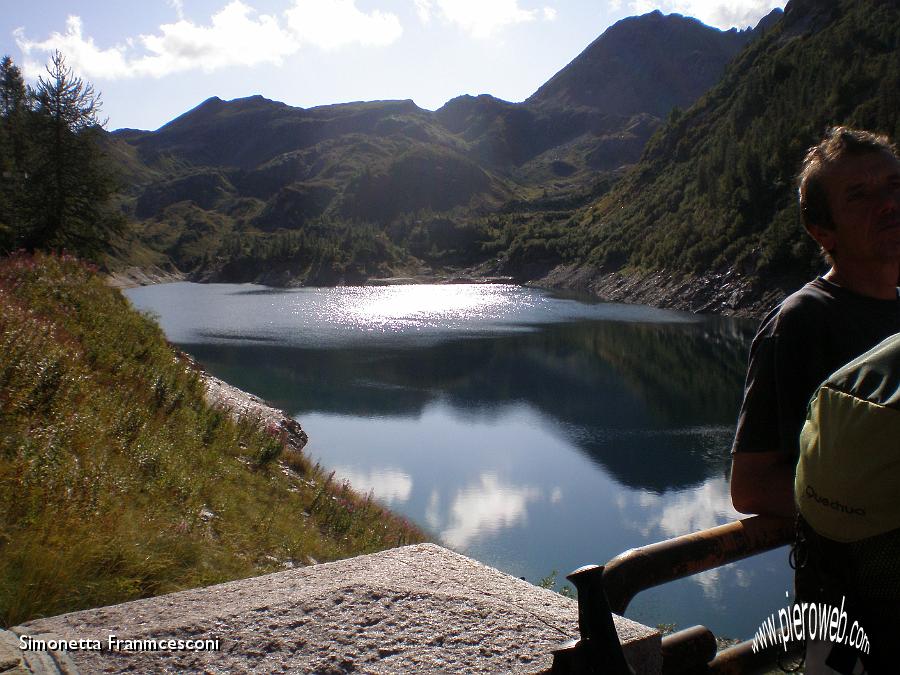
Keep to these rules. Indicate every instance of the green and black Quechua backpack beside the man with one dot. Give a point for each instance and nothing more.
(847, 490)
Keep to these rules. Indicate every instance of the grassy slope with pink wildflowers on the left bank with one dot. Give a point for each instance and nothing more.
(118, 481)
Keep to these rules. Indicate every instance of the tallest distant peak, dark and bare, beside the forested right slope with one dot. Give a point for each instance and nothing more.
(598, 111)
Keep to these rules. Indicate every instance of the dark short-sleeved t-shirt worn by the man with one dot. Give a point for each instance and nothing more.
(800, 343)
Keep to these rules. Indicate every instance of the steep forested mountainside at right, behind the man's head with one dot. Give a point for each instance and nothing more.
(707, 219)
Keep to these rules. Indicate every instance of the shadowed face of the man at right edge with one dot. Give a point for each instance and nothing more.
(864, 198)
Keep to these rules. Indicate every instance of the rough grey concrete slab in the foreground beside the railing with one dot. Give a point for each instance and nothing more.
(416, 609)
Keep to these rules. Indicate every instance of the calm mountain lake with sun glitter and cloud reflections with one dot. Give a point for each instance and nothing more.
(529, 431)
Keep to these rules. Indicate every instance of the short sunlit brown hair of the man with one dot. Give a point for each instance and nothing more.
(839, 143)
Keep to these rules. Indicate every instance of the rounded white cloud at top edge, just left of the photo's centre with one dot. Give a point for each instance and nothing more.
(330, 24)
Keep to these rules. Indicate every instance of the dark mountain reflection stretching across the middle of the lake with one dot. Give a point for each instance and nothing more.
(631, 396)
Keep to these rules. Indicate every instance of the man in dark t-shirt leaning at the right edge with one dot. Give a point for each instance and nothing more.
(850, 204)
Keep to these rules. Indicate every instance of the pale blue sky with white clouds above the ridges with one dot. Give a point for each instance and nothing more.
(153, 60)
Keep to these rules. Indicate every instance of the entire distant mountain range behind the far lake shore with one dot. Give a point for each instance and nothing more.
(256, 189)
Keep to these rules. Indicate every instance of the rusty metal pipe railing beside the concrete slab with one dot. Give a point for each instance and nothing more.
(693, 650)
